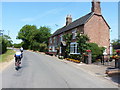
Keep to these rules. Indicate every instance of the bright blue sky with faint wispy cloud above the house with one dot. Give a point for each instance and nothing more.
(17, 14)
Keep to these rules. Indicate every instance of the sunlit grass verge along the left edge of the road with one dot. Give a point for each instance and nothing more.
(9, 55)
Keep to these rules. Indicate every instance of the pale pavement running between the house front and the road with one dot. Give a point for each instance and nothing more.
(98, 70)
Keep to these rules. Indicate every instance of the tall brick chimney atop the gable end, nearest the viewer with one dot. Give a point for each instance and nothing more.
(96, 7)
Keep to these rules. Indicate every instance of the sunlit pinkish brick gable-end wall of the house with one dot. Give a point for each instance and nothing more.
(98, 31)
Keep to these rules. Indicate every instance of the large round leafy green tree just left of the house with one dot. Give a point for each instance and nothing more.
(33, 37)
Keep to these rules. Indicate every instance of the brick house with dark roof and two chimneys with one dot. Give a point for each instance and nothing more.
(92, 24)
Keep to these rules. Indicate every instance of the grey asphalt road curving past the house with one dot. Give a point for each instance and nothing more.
(41, 71)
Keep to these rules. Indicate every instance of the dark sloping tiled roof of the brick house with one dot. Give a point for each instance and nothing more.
(78, 22)
